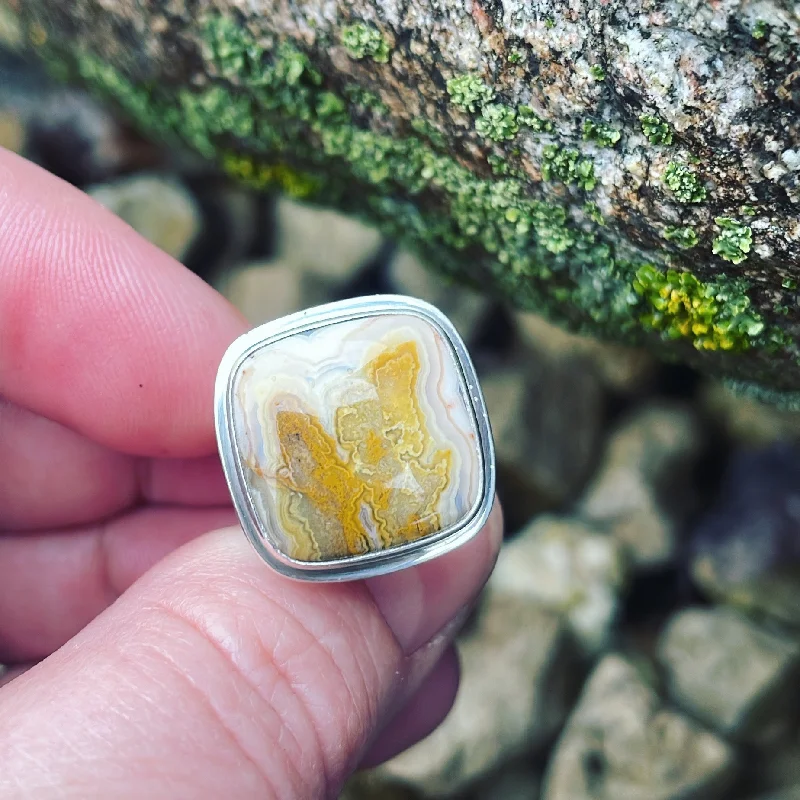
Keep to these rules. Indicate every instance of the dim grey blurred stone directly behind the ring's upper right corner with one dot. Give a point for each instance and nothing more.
(465, 308)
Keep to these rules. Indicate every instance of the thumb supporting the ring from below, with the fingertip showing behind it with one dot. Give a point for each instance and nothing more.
(214, 676)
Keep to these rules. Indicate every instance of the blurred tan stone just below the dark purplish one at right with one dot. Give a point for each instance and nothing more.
(736, 677)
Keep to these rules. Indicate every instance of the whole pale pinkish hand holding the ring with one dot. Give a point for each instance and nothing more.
(153, 654)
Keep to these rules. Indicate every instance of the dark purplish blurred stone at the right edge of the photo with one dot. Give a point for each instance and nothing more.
(746, 550)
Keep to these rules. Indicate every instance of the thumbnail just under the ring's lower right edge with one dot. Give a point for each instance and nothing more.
(418, 603)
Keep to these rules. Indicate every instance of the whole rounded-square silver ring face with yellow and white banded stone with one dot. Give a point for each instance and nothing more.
(354, 438)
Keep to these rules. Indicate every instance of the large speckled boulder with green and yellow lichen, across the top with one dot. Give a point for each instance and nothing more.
(631, 168)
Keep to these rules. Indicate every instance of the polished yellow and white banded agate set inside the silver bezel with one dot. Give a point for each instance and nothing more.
(357, 436)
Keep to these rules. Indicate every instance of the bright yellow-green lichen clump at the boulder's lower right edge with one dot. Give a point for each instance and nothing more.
(713, 316)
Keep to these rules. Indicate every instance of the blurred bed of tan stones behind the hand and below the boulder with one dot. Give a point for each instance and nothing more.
(640, 638)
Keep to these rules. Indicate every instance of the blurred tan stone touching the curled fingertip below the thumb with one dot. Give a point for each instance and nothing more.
(517, 671)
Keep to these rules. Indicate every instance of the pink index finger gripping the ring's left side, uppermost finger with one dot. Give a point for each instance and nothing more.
(100, 330)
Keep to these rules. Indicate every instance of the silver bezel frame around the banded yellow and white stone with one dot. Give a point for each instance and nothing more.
(380, 561)
